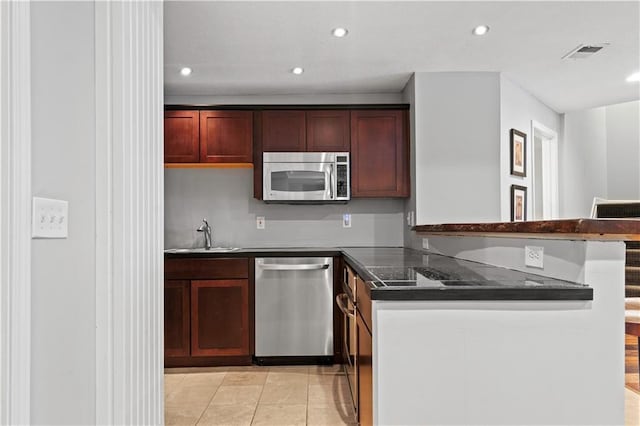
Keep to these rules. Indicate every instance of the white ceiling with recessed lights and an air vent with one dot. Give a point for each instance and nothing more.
(249, 47)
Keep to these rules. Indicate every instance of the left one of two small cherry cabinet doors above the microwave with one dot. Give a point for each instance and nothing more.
(283, 131)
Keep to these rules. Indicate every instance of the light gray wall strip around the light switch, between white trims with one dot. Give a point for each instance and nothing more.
(63, 271)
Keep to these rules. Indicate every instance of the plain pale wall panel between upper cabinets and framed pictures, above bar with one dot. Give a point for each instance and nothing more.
(457, 149)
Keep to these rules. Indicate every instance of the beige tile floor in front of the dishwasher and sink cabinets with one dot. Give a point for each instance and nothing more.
(300, 395)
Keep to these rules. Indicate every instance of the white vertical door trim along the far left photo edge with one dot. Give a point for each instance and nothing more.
(15, 212)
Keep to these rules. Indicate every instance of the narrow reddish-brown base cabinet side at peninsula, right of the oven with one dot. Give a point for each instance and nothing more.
(364, 352)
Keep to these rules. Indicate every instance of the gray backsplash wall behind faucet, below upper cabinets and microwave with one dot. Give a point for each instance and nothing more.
(225, 198)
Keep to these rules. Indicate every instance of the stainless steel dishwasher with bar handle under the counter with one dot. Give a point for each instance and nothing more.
(294, 310)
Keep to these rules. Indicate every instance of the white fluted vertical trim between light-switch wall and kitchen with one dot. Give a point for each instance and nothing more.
(129, 213)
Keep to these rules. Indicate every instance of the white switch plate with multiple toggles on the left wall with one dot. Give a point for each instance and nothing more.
(49, 218)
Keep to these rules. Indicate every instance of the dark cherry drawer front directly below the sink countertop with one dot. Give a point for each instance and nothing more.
(203, 268)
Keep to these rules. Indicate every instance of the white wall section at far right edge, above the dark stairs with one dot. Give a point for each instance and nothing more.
(623, 151)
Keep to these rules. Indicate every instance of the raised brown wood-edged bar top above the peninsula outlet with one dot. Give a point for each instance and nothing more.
(565, 229)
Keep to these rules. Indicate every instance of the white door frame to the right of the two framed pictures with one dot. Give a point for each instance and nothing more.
(550, 206)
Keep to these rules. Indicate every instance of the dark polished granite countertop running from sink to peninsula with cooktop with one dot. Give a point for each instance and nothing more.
(397, 273)
